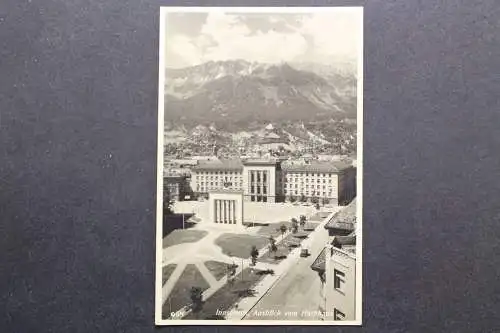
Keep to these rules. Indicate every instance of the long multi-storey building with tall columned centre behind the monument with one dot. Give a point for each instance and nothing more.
(274, 180)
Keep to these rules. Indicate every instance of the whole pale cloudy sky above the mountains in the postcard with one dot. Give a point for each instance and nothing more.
(323, 36)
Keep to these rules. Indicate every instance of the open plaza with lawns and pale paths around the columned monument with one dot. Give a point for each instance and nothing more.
(199, 256)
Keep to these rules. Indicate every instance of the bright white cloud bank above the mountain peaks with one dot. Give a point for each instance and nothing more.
(315, 37)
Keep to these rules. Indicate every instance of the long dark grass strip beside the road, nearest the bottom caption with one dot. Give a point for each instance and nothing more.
(229, 294)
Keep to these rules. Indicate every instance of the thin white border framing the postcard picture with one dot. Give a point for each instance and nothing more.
(160, 168)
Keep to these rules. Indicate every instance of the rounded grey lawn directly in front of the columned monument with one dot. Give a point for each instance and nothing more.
(239, 245)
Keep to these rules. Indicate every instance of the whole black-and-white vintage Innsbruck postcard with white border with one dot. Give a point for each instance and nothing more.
(260, 166)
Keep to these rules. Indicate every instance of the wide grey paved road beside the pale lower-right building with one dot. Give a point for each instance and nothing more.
(297, 291)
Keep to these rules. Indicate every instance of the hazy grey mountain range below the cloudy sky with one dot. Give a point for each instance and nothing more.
(232, 94)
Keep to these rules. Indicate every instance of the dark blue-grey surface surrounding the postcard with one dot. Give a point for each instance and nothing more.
(78, 122)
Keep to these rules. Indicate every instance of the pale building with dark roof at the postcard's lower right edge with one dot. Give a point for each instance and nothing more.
(336, 265)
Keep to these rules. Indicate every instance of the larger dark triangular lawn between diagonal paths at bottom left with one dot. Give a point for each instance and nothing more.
(180, 295)
